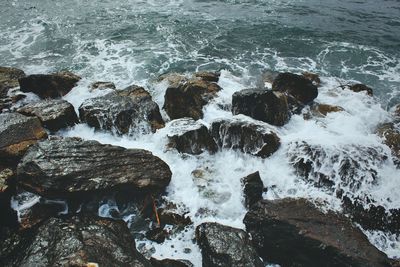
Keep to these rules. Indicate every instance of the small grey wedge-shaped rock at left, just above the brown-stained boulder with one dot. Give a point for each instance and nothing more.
(55, 114)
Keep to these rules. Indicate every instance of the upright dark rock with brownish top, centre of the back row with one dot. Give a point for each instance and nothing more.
(186, 98)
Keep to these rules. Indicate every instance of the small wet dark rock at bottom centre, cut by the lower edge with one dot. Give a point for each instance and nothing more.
(225, 246)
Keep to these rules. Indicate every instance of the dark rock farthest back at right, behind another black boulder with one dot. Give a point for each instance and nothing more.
(299, 90)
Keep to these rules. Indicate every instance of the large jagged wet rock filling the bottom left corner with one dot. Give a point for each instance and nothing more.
(76, 241)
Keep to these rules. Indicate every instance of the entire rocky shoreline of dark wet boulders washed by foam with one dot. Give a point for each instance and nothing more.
(80, 173)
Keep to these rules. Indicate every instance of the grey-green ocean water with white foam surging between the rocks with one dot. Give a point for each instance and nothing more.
(133, 42)
